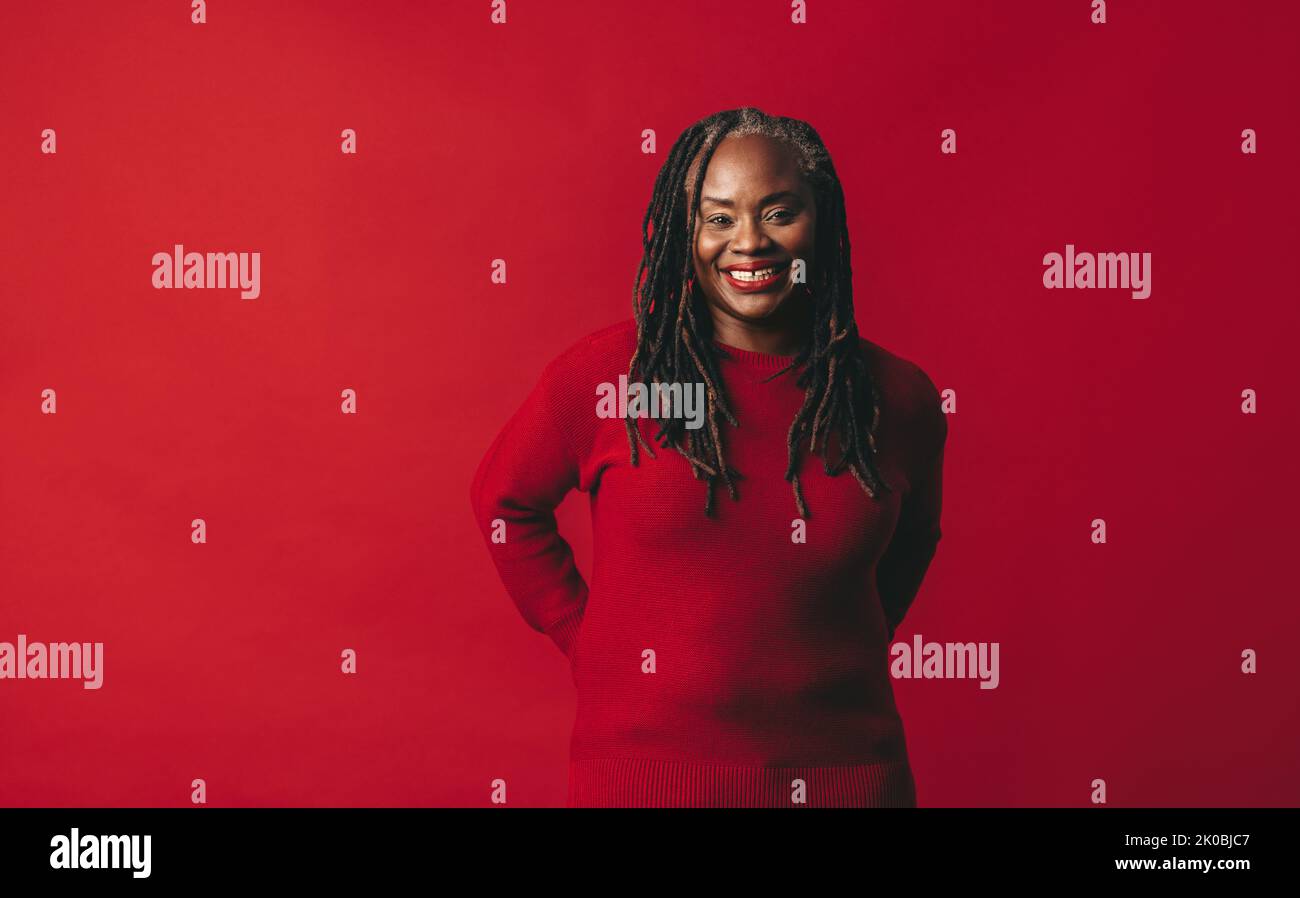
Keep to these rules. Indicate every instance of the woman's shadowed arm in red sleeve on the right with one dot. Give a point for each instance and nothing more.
(903, 567)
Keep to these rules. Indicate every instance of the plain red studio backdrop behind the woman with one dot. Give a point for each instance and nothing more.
(522, 142)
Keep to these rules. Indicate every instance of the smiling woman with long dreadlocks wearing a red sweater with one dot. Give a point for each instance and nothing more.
(735, 652)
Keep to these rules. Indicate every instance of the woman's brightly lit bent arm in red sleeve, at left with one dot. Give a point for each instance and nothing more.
(523, 478)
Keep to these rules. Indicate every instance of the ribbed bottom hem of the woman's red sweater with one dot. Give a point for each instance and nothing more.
(644, 783)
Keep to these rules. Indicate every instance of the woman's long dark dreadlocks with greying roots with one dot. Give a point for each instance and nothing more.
(675, 332)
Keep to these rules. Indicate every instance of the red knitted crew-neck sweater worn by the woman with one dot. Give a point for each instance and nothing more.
(717, 661)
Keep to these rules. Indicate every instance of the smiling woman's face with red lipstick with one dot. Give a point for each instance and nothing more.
(757, 215)
